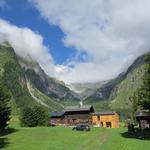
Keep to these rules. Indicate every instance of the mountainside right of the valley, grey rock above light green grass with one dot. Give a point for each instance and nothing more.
(116, 94)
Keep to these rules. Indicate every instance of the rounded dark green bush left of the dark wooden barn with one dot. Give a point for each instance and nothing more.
(34, 116)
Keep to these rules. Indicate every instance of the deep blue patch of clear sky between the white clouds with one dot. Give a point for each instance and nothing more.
(21, 13)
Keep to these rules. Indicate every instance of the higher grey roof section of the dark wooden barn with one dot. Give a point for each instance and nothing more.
(79, 108)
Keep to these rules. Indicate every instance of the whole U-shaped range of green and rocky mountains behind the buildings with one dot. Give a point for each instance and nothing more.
(30, 85)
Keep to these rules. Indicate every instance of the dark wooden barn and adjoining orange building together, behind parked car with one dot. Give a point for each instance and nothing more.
(85, 115)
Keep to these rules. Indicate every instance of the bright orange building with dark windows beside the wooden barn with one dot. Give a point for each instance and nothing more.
(105, 119)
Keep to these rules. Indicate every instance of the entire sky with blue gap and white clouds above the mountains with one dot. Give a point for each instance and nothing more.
(76, 40)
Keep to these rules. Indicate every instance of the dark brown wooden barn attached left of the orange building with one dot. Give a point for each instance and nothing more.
(73, 115)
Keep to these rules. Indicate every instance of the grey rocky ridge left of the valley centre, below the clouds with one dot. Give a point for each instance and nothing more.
(48, 85)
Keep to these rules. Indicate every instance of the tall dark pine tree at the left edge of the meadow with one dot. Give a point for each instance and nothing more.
(4, 108)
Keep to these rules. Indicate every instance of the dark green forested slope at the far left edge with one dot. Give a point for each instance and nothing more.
(13, 76)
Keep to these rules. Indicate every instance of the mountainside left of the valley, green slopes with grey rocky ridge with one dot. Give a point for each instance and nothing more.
(28, 84)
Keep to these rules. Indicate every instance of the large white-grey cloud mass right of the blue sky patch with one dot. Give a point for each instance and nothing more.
(112, 32)
